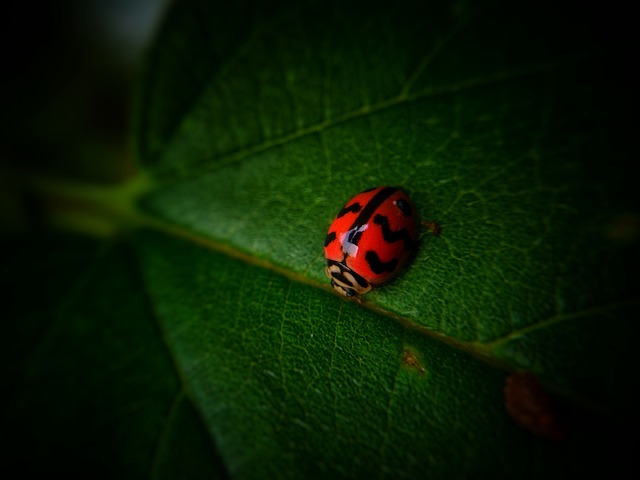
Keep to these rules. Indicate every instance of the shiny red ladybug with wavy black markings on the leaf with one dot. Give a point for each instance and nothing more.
(370, 240)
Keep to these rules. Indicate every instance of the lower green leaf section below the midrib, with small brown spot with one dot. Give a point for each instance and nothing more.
(294, 383)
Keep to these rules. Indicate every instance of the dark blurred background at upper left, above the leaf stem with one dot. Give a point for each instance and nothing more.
(69, 68)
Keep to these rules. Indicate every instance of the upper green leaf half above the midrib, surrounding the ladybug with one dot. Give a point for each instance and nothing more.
(483, 116)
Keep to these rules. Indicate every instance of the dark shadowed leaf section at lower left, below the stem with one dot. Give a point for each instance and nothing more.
(92, 385)
